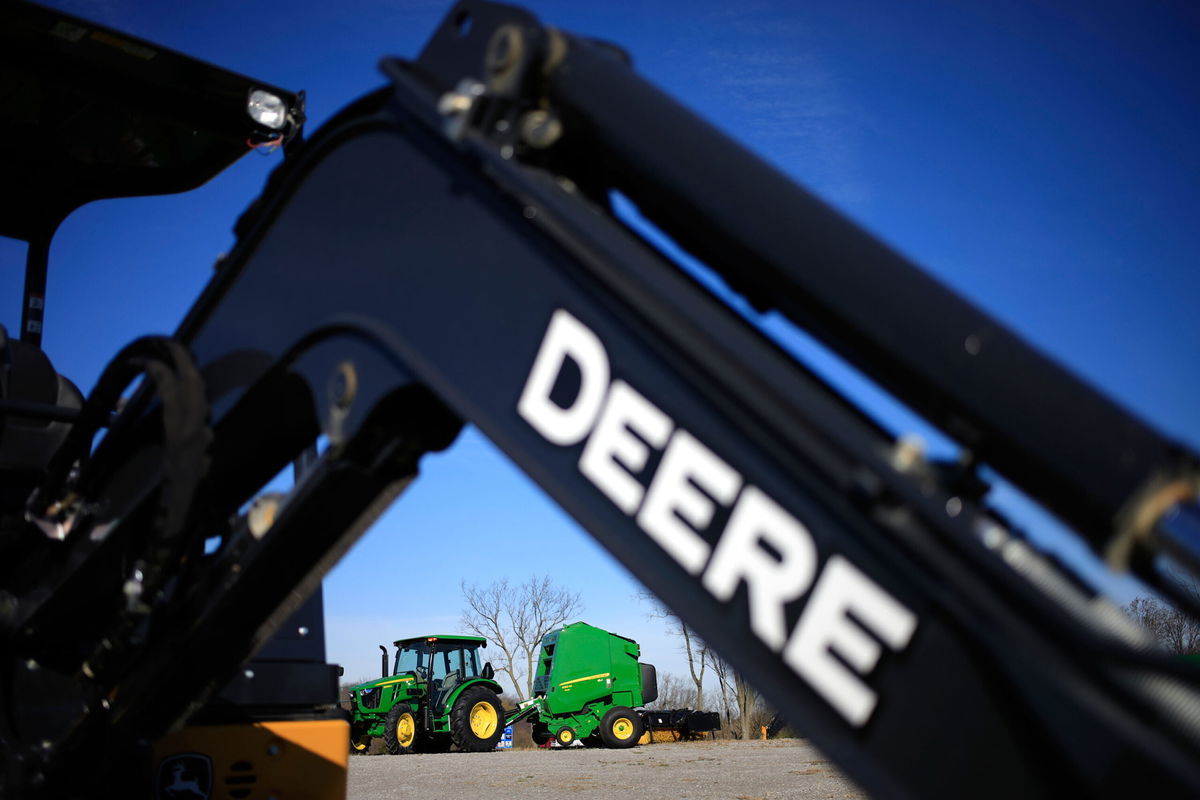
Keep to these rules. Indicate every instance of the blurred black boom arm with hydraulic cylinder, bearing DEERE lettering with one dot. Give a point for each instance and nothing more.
(412, 256)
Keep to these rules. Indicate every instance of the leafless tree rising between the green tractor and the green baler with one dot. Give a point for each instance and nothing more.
(515, 619)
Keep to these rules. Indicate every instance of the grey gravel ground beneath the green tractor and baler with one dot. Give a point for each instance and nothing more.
(723, 771)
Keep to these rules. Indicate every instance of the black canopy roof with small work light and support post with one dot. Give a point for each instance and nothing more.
(189, 119)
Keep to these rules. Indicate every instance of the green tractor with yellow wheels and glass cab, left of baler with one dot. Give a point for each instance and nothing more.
(436, 696)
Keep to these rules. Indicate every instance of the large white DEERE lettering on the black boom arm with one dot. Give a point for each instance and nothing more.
(836, 643)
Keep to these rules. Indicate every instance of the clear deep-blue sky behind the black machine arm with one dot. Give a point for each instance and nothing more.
(1041, 159)
